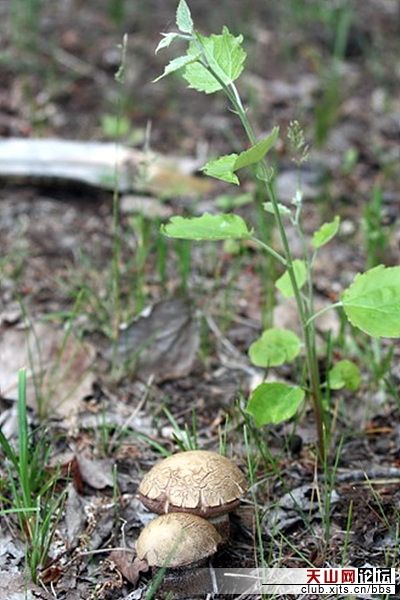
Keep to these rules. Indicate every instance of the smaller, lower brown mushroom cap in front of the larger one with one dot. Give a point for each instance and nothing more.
(176, 540)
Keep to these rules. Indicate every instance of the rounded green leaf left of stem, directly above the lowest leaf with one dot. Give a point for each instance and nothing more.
(274, 347)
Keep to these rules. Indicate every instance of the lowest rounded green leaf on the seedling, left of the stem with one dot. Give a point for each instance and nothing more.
(274, 402)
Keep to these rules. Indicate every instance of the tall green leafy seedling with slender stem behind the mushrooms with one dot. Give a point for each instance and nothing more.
(371, 303)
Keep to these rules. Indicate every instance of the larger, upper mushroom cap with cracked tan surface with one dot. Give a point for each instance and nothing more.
(201, 482)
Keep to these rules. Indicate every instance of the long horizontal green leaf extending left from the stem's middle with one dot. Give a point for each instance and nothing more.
(207, 227)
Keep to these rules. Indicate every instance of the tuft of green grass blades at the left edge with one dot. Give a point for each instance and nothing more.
(30, 490)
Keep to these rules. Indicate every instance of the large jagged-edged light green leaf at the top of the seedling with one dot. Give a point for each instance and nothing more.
(223, 54)
